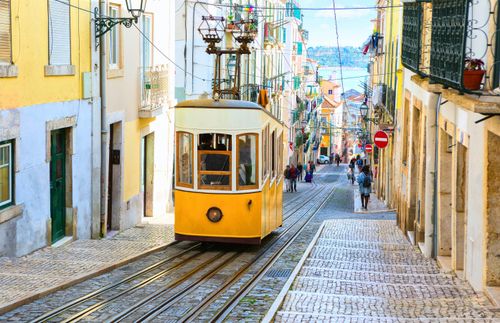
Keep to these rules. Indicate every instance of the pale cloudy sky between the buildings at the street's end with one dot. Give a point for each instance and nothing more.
(354, 25)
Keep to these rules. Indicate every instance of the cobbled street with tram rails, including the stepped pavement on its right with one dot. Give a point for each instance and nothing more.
(342, 266)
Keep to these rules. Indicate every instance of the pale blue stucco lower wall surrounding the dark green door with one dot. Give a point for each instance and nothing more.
(32, 178)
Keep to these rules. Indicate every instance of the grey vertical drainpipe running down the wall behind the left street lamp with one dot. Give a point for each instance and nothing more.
(104, 126)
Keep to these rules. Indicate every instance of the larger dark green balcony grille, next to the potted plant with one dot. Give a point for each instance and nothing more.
(449, 33)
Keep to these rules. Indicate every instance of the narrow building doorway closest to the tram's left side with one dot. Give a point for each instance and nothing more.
(147, 171)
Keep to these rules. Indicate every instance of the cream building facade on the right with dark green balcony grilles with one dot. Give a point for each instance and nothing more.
(446, 134)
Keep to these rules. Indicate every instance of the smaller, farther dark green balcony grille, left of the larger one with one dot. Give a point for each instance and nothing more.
(412, 33)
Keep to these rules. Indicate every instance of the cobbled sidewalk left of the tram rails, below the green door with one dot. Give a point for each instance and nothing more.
(27, 278)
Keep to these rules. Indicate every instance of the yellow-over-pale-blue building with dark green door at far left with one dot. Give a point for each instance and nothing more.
(49, 116)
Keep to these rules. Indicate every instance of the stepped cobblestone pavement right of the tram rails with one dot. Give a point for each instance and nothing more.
(366, 271)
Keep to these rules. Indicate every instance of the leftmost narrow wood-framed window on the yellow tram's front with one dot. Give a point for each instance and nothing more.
(184, 159)
